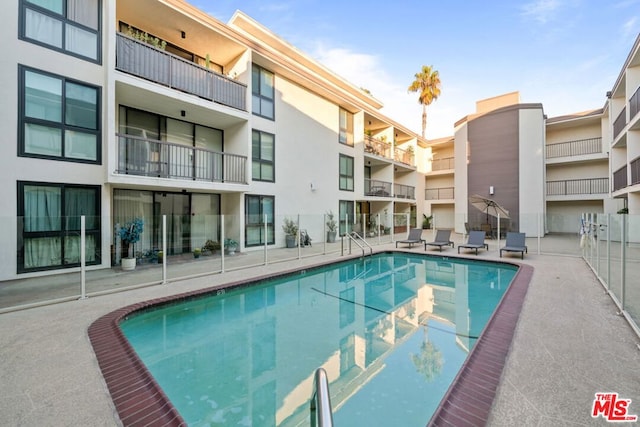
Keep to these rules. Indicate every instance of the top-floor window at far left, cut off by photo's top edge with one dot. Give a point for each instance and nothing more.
(70, 26)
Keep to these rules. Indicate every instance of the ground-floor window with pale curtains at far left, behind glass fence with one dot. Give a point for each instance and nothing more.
(49, 237)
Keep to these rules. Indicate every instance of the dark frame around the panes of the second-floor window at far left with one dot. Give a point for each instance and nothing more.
(62, 125)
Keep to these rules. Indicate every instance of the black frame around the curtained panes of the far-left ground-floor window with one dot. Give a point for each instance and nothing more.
(63, 232)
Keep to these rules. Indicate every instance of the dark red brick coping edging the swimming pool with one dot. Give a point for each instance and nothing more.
(139, 400)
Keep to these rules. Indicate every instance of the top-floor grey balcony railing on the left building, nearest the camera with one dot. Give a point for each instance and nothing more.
(144, 60)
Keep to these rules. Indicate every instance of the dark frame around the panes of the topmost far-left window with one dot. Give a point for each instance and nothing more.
(25, 4)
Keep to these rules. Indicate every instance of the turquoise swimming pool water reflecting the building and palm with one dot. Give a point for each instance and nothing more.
(391, 331)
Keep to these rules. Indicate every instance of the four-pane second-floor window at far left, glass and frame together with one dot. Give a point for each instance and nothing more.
(60, 118)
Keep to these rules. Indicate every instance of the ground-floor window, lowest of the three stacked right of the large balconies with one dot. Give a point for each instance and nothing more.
(256, 207)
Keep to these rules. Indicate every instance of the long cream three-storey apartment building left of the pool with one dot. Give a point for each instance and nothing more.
(126, 110)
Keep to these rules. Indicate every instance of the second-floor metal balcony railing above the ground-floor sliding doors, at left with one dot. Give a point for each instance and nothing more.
(148, 157)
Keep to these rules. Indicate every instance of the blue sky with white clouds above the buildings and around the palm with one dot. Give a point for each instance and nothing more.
(565, 54)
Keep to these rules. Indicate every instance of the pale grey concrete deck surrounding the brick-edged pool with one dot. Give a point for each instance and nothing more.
(569, 344)
